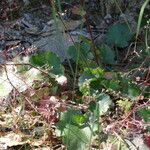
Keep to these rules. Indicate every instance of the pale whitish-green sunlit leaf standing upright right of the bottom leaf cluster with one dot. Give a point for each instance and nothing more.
(104, 102)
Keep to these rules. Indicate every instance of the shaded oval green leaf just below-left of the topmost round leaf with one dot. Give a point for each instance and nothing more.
(107, 54)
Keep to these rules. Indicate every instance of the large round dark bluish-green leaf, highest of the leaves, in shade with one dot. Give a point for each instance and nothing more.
(119, 35)
